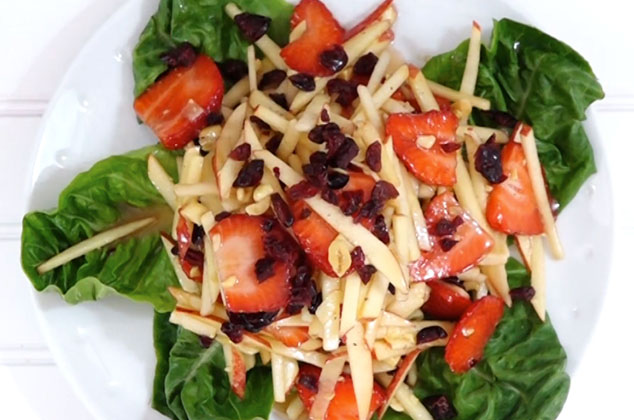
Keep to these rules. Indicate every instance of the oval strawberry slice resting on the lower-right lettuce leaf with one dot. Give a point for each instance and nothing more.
(466, 344)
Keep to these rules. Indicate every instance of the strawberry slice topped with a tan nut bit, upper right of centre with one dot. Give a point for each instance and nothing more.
(432, 166)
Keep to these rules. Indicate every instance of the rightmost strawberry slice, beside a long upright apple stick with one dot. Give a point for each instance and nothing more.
(512, 207)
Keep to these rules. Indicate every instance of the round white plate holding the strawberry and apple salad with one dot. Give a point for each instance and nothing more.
(105, 348)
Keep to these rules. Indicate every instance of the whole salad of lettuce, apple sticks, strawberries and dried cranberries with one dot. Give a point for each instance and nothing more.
(326, 229)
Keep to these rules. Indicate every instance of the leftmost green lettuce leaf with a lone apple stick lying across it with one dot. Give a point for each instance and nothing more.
(96, 200)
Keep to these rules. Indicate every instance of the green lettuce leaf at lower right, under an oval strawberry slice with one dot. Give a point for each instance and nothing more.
(522, 375)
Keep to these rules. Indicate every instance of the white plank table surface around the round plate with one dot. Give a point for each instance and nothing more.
(40, 39)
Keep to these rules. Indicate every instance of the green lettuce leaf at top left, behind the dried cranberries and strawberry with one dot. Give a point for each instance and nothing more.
(206, 26)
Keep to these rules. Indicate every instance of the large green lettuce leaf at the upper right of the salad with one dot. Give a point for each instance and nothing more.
(542, 81)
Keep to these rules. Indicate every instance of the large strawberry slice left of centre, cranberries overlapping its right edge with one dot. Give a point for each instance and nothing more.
(241, 245)
